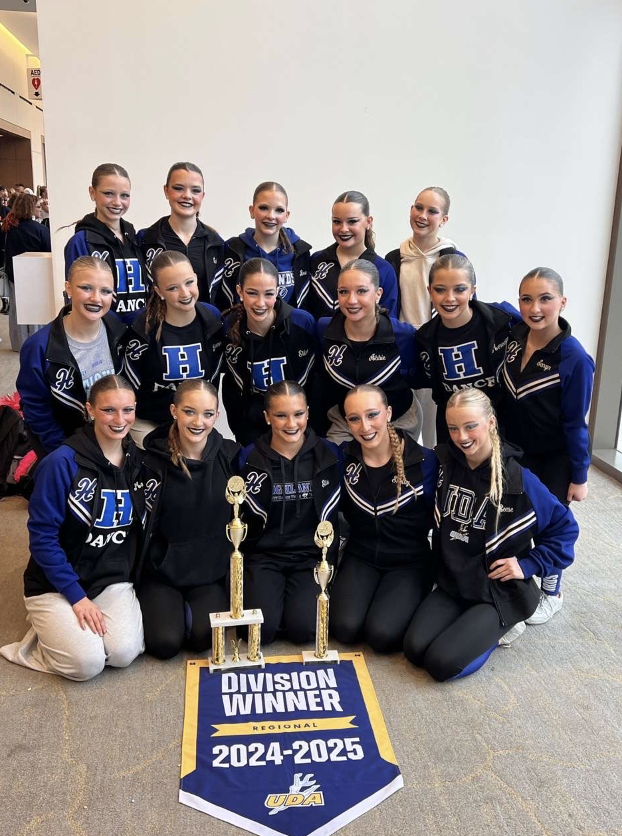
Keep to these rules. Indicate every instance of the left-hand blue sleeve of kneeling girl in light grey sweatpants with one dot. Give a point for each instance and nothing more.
(48, 506)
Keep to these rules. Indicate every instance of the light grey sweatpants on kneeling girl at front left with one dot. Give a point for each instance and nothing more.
(57, 644)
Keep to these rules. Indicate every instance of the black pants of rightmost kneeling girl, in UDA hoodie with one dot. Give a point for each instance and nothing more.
(448, 635)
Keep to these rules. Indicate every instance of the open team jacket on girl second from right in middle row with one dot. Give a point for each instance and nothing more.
(498, 319)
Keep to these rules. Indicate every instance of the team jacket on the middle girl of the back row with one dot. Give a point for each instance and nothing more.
(293, 268)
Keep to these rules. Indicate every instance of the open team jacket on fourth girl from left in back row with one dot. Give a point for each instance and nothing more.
(325, 268)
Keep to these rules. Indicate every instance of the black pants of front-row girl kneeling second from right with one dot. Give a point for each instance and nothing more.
(375, 605)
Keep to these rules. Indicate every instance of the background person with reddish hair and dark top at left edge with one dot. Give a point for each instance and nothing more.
(23, 235)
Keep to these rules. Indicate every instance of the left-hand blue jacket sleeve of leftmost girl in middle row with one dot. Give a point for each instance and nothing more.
(35, 393)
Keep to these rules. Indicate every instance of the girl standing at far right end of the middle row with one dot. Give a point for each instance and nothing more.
(547, 378)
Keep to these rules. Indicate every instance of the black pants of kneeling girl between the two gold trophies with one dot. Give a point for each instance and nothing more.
(286, 592)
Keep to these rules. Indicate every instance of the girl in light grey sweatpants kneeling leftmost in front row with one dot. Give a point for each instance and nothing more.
(85, 533)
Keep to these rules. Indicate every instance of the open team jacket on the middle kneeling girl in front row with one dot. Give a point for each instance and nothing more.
(316, 465)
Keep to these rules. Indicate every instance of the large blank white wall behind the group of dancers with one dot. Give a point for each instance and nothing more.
(516, 109)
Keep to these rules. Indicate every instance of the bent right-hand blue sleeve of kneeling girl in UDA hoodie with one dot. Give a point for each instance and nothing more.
(557, 531)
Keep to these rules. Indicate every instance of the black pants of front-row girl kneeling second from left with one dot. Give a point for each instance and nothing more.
(174, 617)
